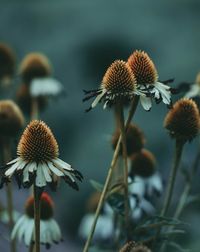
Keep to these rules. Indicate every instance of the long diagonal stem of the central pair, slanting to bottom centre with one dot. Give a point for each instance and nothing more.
(109, 175)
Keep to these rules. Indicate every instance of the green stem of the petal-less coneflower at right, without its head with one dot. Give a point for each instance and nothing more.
(172, 177)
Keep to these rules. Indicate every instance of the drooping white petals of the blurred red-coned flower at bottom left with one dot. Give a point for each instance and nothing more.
(24, 231)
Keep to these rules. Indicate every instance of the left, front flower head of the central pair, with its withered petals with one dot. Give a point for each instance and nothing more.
(118, 83)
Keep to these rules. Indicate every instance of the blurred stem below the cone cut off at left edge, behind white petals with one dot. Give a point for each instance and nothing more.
(6, 159)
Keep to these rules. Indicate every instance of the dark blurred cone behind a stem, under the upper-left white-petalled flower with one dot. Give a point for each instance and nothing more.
(24, 100)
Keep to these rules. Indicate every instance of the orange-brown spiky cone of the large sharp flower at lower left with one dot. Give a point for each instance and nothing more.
(37, 143)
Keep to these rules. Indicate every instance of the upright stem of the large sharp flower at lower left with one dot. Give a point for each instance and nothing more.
(37, 218)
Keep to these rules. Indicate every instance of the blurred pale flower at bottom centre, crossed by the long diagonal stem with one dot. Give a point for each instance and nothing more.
(104, 229)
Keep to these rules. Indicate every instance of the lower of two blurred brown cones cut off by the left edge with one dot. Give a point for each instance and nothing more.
(11, 119)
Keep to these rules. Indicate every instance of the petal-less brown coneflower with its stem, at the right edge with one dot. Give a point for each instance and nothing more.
(183, 124)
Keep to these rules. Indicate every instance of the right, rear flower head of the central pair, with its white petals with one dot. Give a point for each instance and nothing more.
(146, 77)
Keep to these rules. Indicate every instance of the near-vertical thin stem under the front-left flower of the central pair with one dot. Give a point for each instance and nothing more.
(124, 150)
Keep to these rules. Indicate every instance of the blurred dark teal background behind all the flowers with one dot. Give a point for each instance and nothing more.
(82, 38)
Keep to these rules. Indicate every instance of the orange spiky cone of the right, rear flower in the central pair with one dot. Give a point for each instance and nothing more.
(143, 68)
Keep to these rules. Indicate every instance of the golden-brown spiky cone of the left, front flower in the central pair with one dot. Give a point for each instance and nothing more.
(119, 78)
